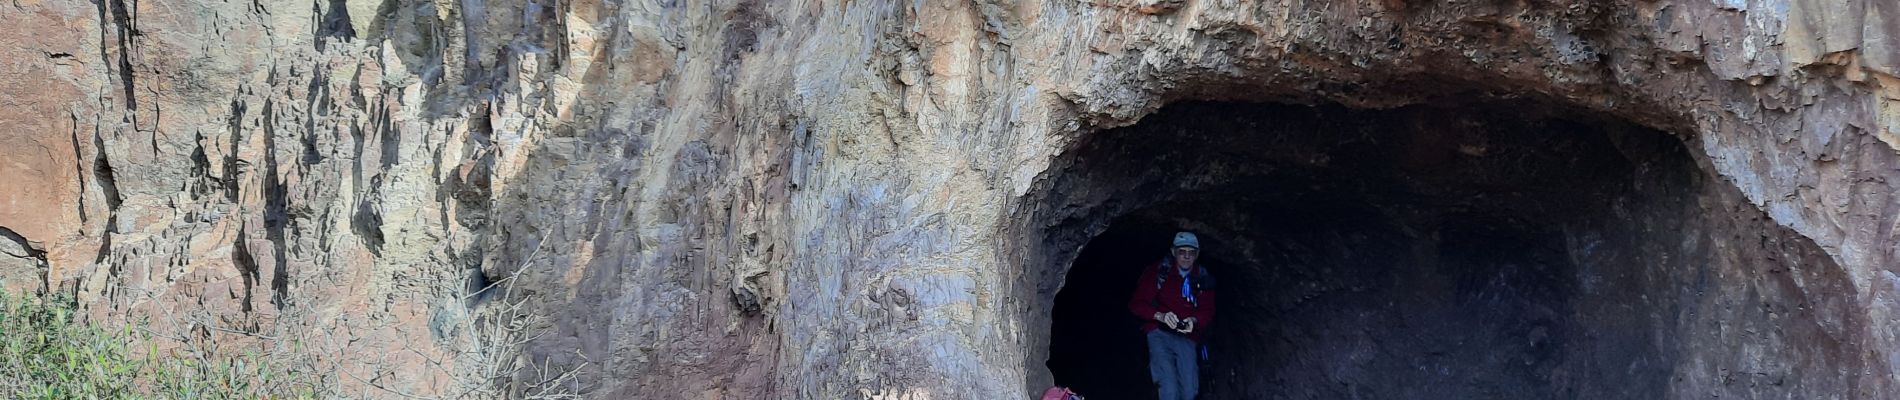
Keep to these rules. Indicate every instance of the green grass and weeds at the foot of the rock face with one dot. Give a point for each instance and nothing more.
(50, 354)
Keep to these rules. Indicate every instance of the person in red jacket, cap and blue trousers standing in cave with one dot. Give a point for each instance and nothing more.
(1177, 302)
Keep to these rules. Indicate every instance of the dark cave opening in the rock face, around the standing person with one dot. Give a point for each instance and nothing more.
(1489, 249)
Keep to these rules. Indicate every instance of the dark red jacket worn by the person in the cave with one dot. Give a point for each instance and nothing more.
(1168, 297)
